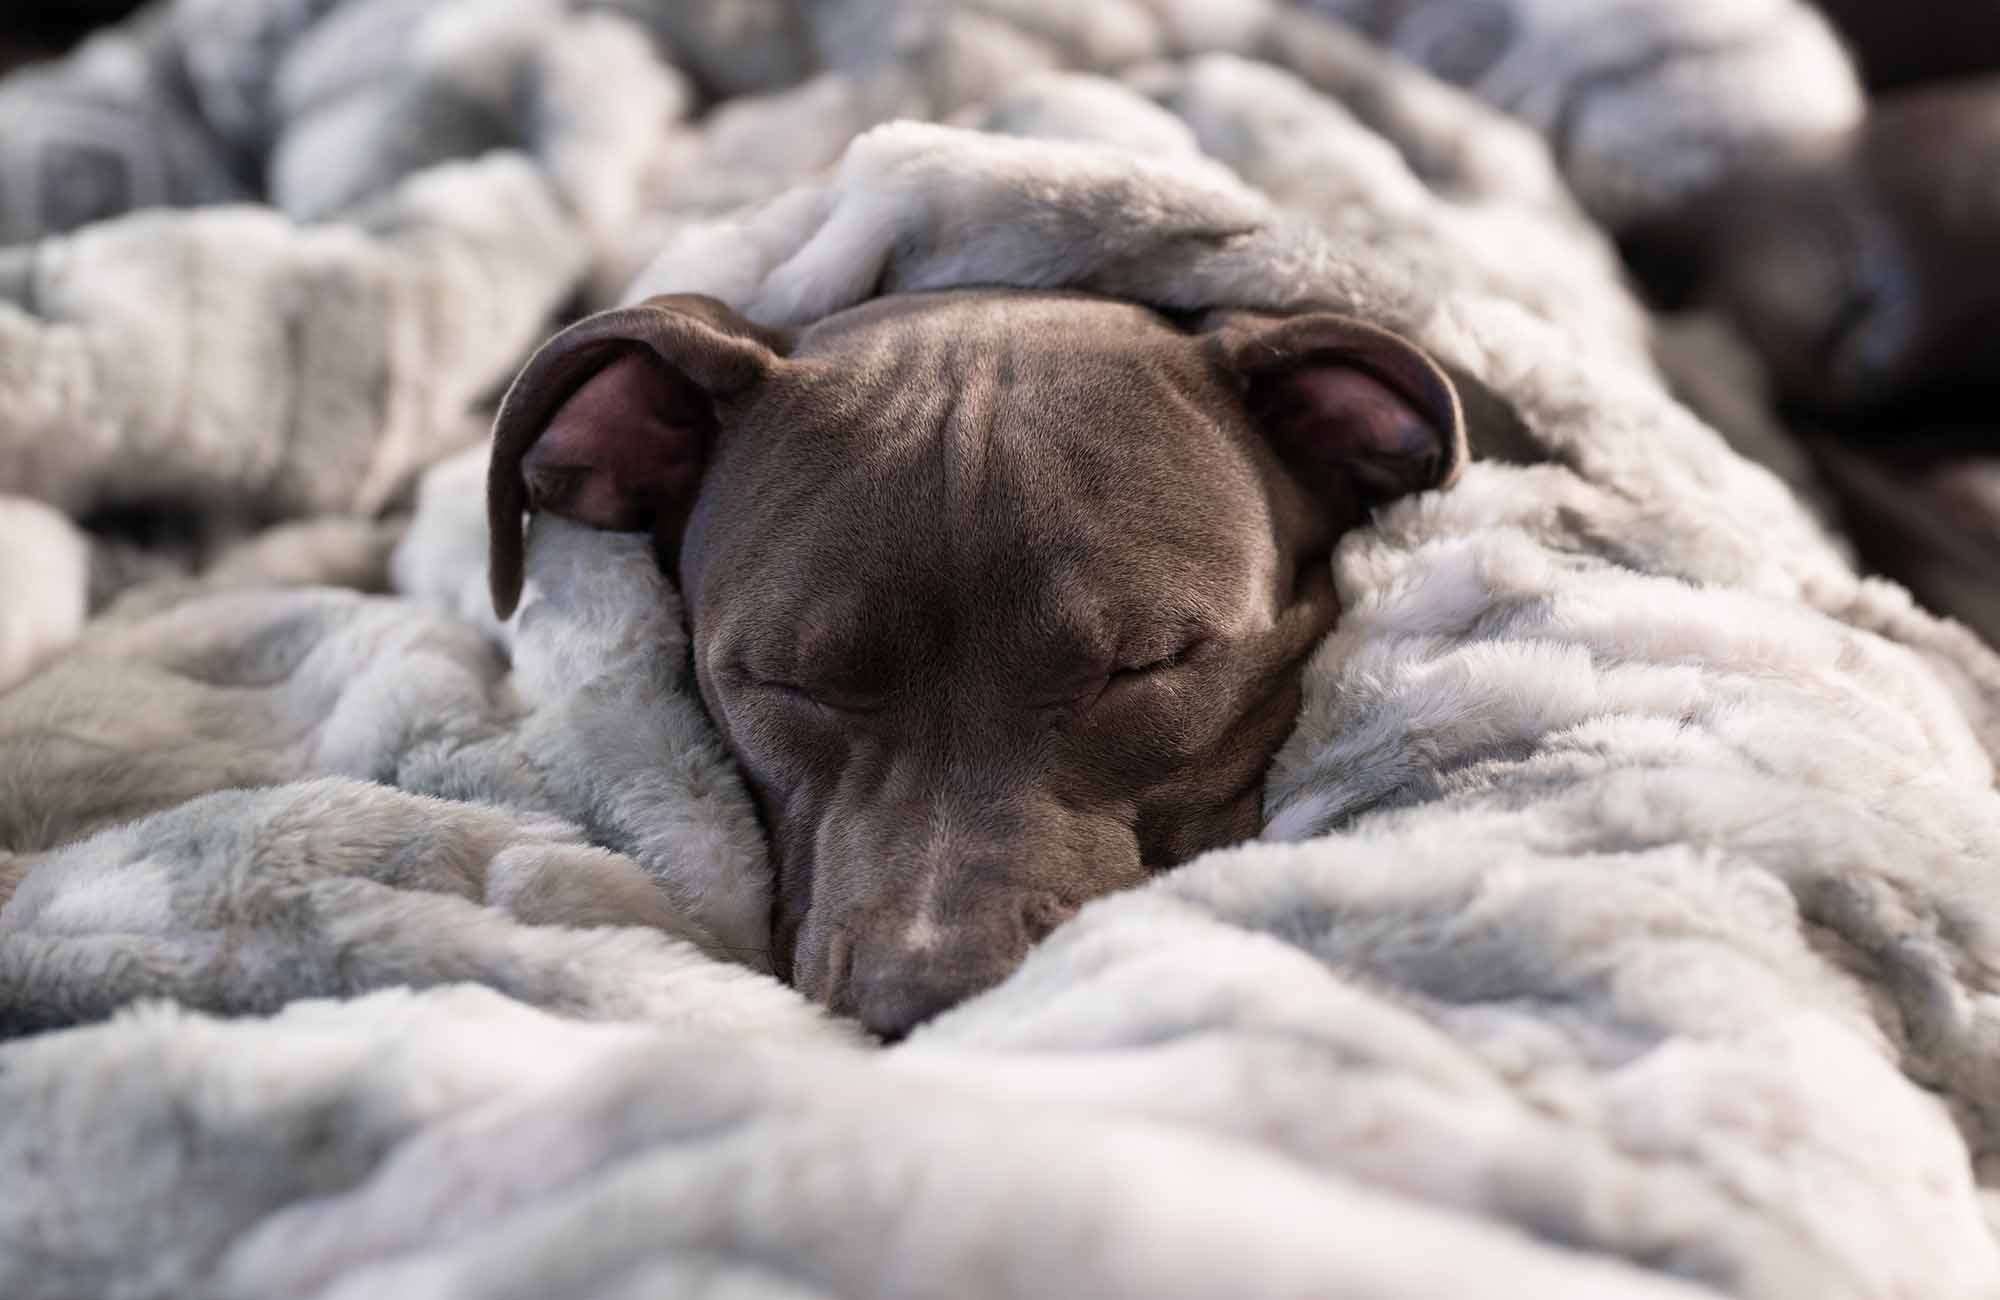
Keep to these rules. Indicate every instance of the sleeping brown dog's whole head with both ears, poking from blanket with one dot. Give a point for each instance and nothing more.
(1001, 599)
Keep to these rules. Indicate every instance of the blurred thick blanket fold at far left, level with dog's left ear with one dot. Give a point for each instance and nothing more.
(235, 359)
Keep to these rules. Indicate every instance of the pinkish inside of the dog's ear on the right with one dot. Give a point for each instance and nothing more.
(1347, 423)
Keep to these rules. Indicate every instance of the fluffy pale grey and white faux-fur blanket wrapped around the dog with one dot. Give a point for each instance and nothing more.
(1625, 915)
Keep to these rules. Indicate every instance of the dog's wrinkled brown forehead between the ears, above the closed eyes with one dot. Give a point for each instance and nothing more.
(1041, 471)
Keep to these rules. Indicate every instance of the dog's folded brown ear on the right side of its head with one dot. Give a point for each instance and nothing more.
(1359, 411)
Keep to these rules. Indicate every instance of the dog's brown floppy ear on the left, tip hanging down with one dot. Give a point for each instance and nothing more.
(613, 421)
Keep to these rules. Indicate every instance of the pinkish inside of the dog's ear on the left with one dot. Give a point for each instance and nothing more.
(623, 449)
